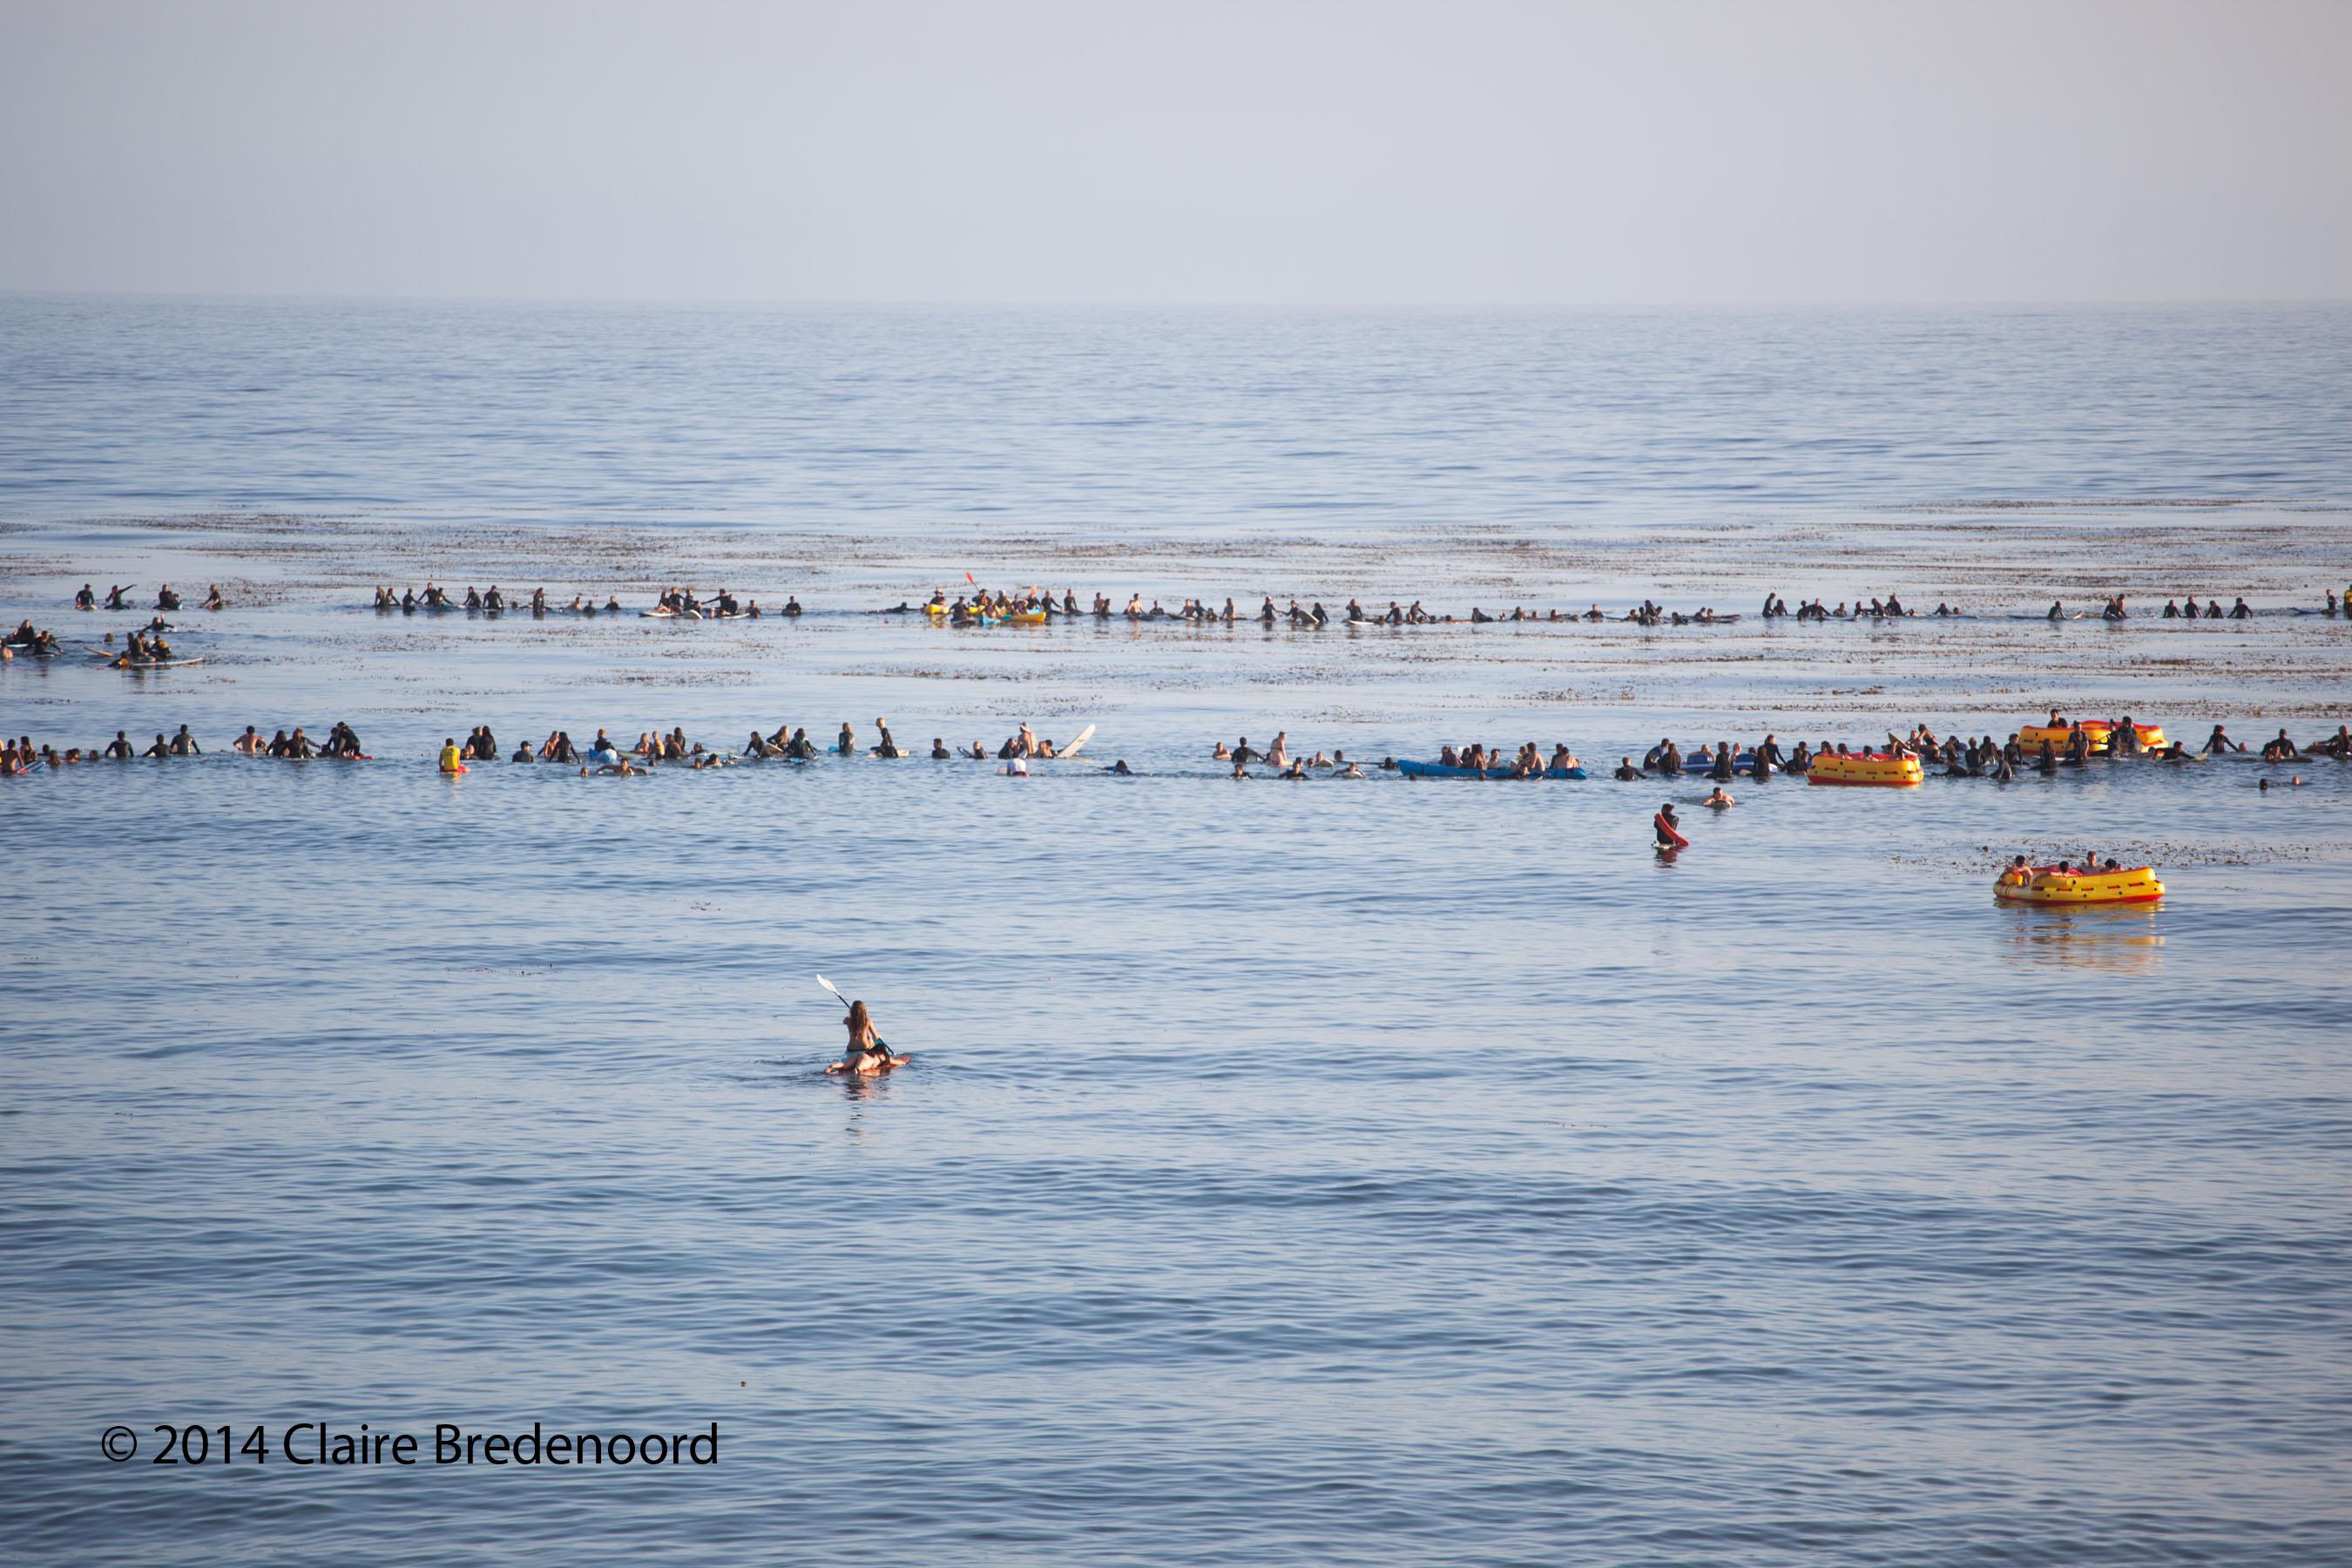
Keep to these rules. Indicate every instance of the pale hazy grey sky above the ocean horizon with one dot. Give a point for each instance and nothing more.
(1182, 152)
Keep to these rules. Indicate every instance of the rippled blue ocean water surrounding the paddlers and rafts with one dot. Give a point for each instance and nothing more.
(1288, 1174)
